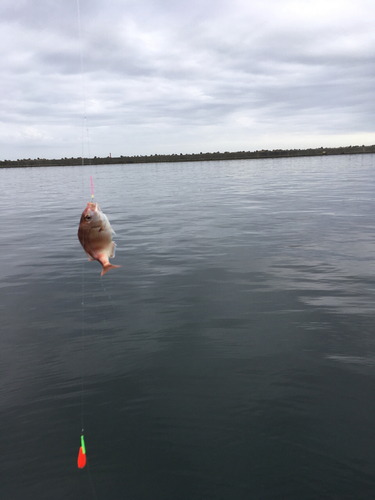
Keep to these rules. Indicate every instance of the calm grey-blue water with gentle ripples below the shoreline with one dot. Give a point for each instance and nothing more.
(231, 356)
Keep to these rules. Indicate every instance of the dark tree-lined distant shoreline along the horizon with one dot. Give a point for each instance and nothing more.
(239, 155)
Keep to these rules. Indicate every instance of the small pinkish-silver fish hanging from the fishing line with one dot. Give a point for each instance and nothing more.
(95, 235)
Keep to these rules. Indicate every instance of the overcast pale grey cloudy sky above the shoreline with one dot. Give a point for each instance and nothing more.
(142, 77)
